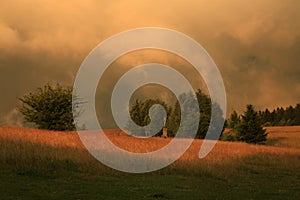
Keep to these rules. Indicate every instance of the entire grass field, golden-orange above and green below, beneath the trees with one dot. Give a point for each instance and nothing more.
(39, 164)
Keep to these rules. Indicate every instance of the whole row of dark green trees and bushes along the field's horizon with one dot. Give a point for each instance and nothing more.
(50, 107)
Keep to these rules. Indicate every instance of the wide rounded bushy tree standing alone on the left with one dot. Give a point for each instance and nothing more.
(49, 107)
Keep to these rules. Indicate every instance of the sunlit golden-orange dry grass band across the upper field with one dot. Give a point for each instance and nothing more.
(223, 152)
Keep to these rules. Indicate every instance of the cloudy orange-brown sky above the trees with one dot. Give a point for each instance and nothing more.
(255, 44)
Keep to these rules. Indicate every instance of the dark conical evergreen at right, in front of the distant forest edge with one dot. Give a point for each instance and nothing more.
(250, 129)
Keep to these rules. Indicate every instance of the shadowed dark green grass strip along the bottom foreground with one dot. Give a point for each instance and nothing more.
(251, 184)
